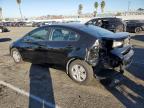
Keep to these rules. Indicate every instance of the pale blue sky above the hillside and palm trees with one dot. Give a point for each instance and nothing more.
(63, 7)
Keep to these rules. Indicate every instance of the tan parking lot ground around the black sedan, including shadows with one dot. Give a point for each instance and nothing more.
(28, 85)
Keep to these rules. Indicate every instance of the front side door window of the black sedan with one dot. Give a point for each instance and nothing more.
(40, 34)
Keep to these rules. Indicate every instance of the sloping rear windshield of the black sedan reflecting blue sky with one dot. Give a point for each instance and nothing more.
(96, 31)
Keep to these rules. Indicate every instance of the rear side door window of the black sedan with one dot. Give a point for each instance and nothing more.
(61, 34)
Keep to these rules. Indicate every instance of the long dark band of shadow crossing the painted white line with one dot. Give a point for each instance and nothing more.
(41, 86)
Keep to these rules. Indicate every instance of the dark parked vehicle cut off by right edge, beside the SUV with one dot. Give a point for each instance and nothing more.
(135, 25)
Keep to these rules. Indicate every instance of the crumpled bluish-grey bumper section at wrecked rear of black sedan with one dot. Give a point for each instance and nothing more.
(124, 54)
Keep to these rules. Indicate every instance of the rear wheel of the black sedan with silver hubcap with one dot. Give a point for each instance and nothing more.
(81, 72)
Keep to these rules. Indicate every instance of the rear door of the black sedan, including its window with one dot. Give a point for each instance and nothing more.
(61, 43)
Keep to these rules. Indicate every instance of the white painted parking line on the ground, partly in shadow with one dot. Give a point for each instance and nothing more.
(43, 102)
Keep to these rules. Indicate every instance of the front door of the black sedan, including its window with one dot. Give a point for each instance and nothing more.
(34, 45)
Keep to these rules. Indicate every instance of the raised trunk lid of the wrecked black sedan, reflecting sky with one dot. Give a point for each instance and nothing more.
(115, 36)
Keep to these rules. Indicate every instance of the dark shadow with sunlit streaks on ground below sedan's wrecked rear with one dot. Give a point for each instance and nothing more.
(128, 92)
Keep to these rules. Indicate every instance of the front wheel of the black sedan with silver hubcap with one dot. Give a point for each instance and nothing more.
(16, 55)
